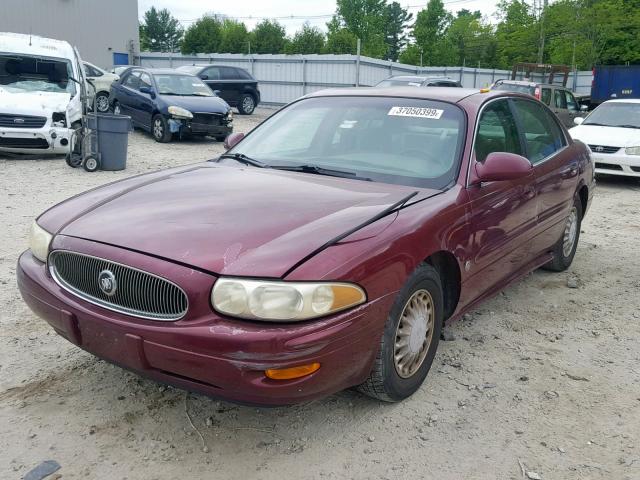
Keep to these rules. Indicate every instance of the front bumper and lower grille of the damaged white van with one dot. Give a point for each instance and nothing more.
(45, 140)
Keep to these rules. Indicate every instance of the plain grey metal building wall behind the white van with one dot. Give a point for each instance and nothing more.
(97, 27)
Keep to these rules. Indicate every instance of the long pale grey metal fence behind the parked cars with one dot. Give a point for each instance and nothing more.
(284, 78)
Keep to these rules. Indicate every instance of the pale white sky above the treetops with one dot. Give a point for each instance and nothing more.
(316, 12)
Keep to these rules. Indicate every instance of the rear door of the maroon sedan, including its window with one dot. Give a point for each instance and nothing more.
(555, 167)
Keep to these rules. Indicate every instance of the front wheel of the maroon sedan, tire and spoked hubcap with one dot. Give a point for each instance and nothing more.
(389, 380)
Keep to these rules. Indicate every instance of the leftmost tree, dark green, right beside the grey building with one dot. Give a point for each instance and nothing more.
(160, 31)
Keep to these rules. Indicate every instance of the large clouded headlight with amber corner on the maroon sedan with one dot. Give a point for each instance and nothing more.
(283, 301)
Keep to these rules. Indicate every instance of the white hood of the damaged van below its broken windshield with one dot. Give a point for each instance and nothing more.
(33, 103)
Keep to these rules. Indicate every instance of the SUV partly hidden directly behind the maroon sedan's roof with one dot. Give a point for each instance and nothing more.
(560, 99)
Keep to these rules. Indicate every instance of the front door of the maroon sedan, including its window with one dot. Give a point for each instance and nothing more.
(503, 214)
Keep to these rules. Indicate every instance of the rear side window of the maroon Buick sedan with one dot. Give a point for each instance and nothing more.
(543, 136)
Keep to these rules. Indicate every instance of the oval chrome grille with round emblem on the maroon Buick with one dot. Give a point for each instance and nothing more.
(139, 294)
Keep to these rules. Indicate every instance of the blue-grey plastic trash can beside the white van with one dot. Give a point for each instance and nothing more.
(112, 135)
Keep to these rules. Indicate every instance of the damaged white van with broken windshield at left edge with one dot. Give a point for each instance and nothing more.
(40, 94)
